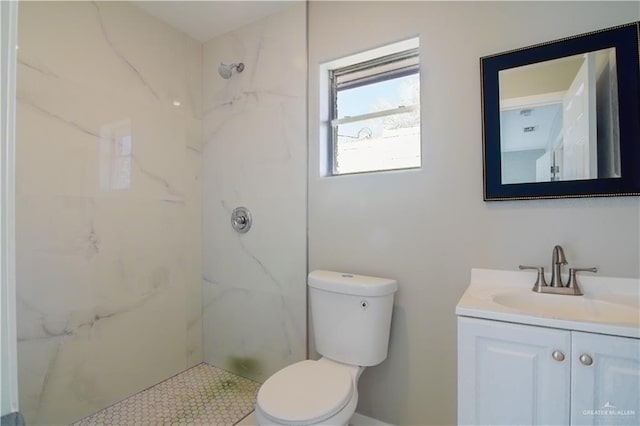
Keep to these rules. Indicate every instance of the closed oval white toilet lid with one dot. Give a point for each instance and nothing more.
(305, 392)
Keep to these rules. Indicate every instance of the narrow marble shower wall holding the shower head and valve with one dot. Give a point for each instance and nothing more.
(254, 155)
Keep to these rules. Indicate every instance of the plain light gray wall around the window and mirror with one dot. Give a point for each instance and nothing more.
(429, 227)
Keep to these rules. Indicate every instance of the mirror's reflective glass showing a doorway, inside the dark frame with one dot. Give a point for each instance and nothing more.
(559, 120)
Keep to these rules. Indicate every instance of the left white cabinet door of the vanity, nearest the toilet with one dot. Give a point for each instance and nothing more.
(507, 374)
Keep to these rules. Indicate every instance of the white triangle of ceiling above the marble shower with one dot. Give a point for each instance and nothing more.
(206, 19)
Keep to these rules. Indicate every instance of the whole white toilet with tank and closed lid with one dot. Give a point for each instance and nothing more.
(351, 320)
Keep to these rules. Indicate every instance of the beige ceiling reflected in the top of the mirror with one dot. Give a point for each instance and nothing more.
(542, 77)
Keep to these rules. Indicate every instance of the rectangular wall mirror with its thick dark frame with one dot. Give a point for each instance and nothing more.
(562, 119)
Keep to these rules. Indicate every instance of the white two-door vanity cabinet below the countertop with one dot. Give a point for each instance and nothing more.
(521, 374)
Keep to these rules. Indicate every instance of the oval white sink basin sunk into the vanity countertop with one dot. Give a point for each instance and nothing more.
(578, 308)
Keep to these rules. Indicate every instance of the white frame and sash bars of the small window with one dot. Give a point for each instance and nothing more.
(390, 53)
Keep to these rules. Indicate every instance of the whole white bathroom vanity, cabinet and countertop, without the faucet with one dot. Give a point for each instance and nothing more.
(531, 358)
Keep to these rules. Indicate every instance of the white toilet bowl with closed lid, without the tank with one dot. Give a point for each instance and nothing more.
(322, 392)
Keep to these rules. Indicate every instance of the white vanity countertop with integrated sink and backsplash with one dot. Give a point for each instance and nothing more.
(608, 306)
